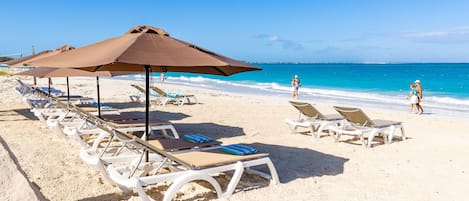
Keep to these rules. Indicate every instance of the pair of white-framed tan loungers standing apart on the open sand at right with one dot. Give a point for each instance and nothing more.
(348, 121)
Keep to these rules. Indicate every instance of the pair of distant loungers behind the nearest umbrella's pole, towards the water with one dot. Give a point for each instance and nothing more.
(160, 97)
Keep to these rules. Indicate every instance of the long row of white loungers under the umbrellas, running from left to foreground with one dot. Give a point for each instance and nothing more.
(116, 146)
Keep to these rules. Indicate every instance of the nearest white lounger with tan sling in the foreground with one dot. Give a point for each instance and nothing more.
(187, 167)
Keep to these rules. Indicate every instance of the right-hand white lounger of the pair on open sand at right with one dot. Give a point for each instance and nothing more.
(359, 124)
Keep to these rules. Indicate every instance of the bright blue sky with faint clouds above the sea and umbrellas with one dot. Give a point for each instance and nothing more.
(254, 31)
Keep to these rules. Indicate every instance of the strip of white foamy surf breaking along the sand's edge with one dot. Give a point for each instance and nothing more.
(324, 96)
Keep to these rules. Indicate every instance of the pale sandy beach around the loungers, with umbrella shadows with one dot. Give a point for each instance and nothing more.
(40, 164)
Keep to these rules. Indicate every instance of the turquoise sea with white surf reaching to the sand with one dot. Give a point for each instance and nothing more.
(446, 85)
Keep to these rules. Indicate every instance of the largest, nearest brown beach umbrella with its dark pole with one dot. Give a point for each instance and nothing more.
(145, 49)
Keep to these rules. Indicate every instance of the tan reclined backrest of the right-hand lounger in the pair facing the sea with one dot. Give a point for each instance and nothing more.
(355, 116)
